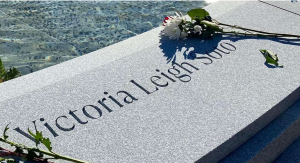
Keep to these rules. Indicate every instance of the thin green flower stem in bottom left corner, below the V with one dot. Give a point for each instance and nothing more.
(56, 156)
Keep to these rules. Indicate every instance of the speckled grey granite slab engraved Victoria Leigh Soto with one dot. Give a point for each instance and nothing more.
(201, 113)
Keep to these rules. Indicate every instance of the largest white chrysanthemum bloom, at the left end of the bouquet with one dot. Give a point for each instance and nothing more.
(171, 27)
